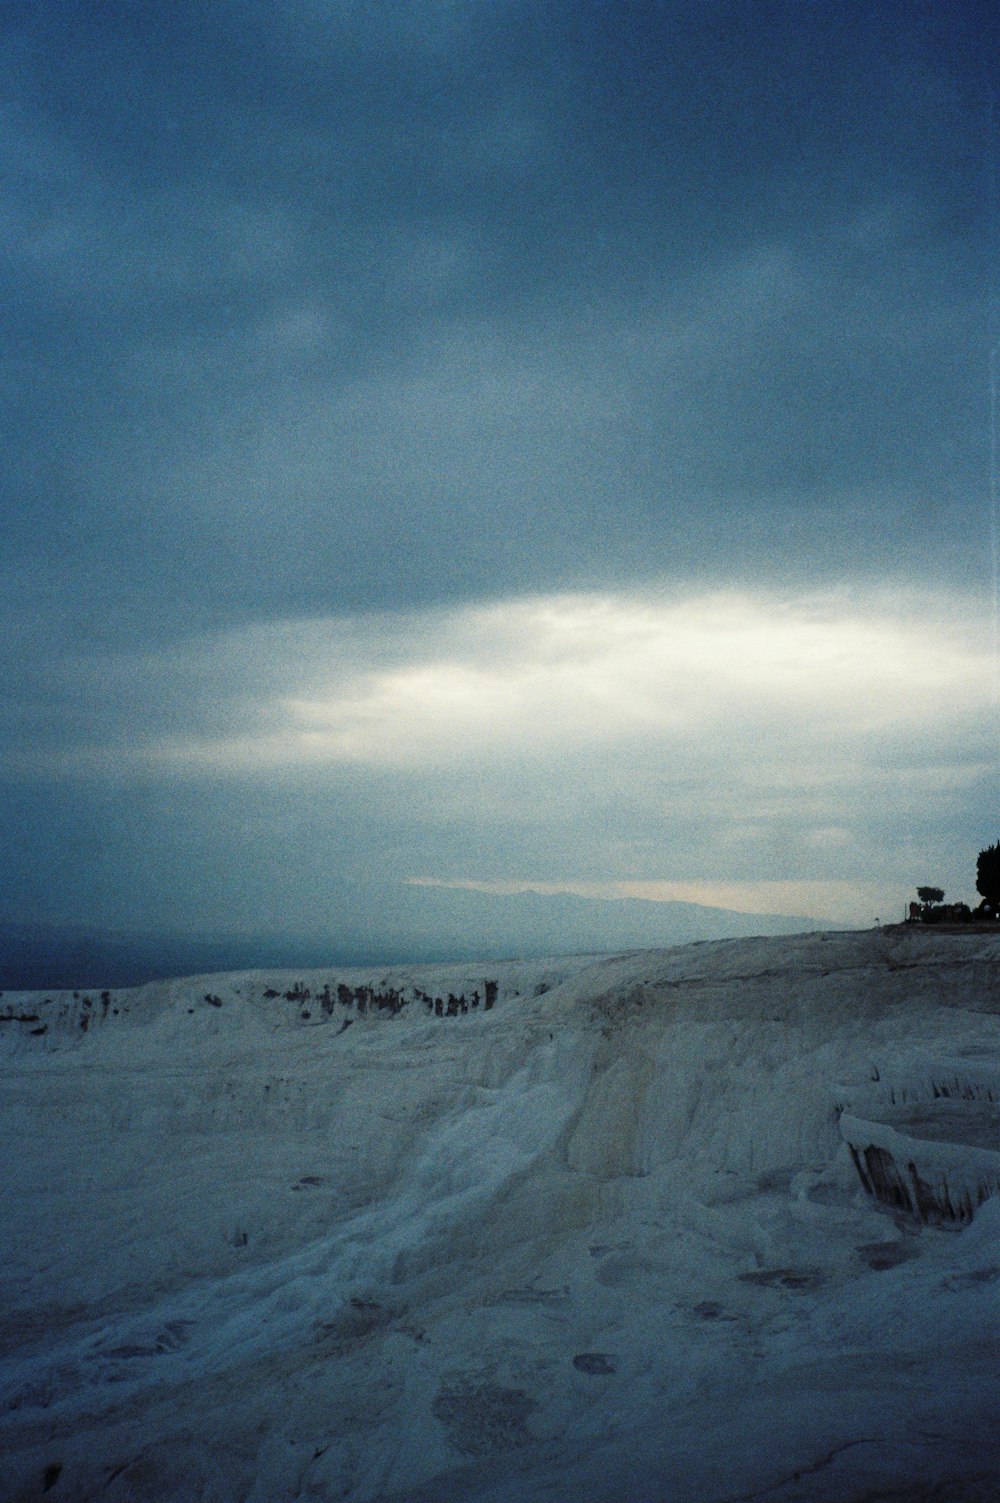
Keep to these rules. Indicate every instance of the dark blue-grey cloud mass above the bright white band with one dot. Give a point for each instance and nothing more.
(323, 298)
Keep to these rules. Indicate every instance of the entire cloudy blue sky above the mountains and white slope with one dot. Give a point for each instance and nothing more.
(524, 446)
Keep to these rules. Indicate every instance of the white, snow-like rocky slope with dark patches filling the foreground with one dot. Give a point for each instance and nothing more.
(598, 1242)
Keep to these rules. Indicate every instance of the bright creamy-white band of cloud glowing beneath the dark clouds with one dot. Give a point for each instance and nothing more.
(705, 676)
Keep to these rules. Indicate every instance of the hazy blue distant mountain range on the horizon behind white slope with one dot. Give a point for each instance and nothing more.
(390, 927)
